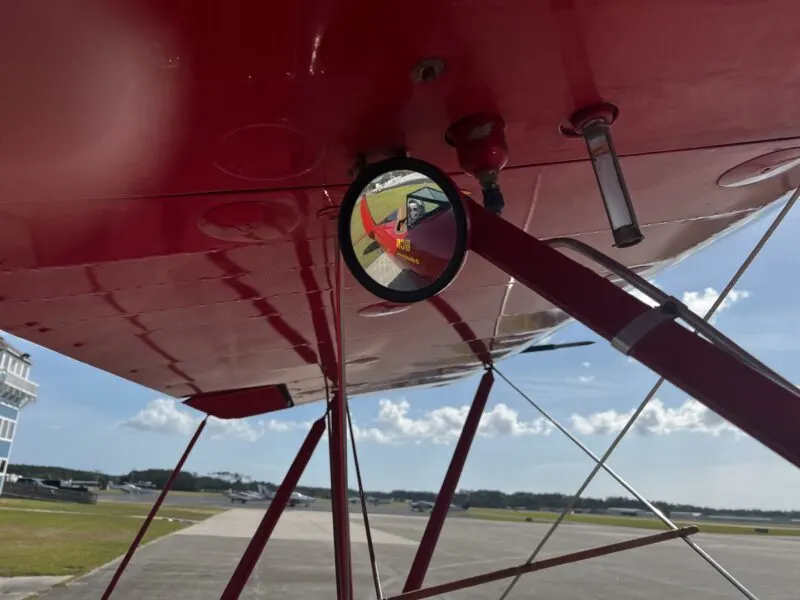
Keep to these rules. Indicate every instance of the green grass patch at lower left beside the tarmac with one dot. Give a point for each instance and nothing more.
(75, 538)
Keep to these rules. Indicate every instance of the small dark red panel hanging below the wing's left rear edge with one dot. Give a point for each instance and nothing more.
(240, 404)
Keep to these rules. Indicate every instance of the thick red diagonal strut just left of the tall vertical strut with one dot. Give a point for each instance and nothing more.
(260, 538)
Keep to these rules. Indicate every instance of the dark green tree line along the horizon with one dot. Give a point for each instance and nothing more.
(223, 480)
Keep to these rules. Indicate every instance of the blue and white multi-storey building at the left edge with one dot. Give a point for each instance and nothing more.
(16, 390)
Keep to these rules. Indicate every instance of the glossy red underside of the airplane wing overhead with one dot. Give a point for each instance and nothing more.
(163, 166)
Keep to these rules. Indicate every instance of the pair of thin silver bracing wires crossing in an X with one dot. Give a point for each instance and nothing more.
(601, 461)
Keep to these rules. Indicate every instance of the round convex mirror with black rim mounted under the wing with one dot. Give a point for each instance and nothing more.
(403, 230)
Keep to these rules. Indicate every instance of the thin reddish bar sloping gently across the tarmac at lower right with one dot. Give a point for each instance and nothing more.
(556, 561)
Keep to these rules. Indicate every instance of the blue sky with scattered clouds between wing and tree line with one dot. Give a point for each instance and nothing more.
(89, 419)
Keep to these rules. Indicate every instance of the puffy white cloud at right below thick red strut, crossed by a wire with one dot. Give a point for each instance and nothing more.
(657, 419)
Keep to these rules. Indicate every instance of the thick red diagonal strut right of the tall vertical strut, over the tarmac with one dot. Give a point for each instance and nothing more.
(427, 545)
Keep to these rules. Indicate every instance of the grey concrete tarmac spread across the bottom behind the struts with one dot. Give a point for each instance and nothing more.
(297, 564)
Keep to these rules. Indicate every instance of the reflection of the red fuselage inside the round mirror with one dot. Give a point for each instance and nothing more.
(425, 249)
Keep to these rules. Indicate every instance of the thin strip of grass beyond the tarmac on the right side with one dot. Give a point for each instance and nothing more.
(636, 522)
